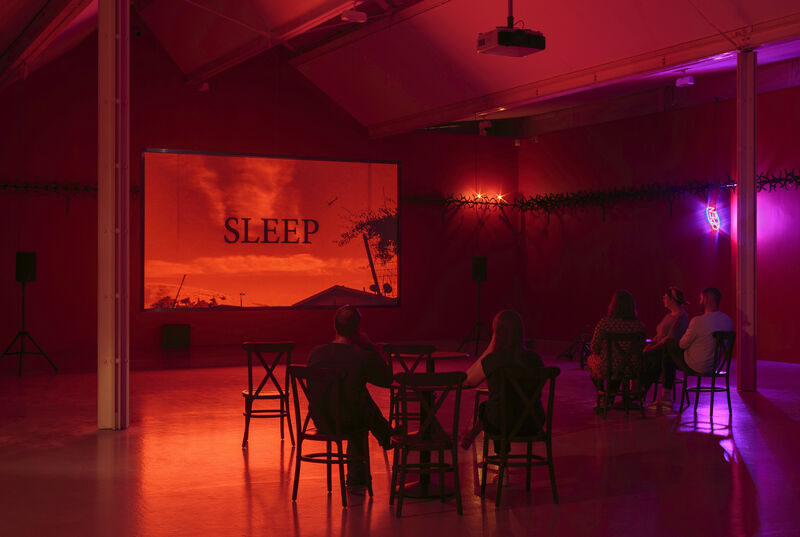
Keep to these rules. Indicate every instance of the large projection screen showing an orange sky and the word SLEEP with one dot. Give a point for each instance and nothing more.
(227, 231)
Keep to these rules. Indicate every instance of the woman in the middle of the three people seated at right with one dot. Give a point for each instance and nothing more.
(672, 326)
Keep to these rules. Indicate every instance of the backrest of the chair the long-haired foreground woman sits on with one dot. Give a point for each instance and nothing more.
(521, 389)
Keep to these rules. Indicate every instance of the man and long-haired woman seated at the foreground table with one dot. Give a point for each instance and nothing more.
(352, 351)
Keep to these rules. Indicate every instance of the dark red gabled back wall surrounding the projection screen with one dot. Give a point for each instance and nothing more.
(261, 107)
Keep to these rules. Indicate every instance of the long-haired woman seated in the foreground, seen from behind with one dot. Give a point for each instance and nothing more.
(505, 350)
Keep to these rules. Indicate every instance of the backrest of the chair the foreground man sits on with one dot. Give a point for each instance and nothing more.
(320, 387)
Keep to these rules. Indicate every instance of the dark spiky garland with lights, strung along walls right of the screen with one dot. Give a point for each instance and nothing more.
(788, 179)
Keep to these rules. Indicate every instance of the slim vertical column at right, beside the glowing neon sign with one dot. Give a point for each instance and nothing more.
(746, 220)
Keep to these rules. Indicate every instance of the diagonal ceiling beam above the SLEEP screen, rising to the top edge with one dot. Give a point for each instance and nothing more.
(278, 35)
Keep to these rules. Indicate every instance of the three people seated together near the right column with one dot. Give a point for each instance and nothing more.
(678, 343)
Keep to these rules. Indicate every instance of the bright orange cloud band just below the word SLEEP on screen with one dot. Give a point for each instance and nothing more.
(253, 264)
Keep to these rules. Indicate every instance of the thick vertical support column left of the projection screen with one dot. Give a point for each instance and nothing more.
(113, 201)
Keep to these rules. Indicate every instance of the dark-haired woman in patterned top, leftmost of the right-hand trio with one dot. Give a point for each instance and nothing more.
(621, 319)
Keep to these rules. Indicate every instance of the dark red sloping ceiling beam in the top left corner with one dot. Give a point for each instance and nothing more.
(49, 22)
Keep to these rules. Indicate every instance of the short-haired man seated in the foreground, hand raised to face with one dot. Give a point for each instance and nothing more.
(352, 351)
